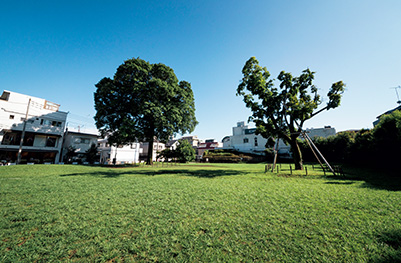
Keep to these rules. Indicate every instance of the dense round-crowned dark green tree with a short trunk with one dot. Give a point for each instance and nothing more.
(142, 102)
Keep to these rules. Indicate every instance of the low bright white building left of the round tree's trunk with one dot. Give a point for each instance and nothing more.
(121, 154)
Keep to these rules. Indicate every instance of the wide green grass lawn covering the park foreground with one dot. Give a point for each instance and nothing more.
(193, 213)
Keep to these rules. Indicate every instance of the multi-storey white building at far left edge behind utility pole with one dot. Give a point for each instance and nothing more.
(44, 128)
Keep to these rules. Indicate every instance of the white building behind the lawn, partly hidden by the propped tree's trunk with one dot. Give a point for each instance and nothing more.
(245, 140)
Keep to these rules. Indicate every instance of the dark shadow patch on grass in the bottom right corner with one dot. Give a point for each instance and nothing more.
(393, 240)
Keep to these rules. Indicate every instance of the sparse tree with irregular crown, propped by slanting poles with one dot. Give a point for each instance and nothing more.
(280, 112)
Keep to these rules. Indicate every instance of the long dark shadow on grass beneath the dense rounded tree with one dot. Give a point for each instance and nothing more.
(201, 173)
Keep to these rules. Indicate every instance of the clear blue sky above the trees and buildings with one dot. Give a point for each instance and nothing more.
(58, 50)
